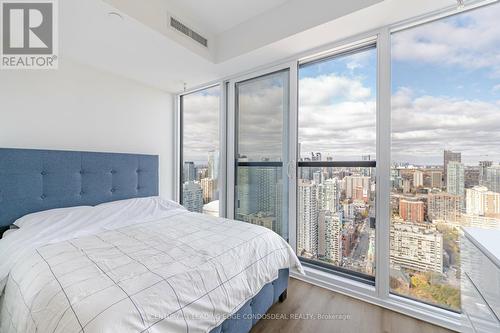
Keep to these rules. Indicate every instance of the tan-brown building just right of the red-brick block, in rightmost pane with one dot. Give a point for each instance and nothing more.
(444, 206)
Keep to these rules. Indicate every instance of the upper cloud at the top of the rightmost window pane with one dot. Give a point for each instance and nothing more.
(470, 40)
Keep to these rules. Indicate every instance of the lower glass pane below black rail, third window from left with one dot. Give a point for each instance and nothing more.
(336, 217)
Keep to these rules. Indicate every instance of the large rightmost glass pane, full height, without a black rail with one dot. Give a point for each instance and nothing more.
(445, 149)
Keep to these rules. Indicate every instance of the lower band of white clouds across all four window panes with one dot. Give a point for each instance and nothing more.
(338, 118)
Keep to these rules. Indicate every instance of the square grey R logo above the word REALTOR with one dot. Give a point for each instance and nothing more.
(28, 28)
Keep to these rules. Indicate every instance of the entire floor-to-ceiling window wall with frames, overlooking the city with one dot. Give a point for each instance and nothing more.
(443, 124)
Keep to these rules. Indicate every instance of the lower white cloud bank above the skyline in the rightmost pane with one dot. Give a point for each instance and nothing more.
(423, 126)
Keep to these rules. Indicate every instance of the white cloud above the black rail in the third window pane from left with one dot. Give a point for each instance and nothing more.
(337, 117)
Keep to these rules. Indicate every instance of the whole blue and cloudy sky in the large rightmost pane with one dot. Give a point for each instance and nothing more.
(446, 89)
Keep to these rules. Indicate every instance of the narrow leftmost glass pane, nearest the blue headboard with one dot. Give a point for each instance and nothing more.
(200, 151)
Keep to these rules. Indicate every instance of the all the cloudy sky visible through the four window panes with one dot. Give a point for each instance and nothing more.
(445, 95)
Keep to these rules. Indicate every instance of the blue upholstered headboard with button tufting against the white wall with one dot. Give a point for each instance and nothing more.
(36, 180)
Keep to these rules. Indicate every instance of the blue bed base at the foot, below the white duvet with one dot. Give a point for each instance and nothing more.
(248, 315)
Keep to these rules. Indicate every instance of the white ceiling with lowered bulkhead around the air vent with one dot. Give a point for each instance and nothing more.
(133, 49)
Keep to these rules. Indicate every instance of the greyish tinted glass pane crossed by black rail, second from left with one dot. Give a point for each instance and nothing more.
(261, 185)
